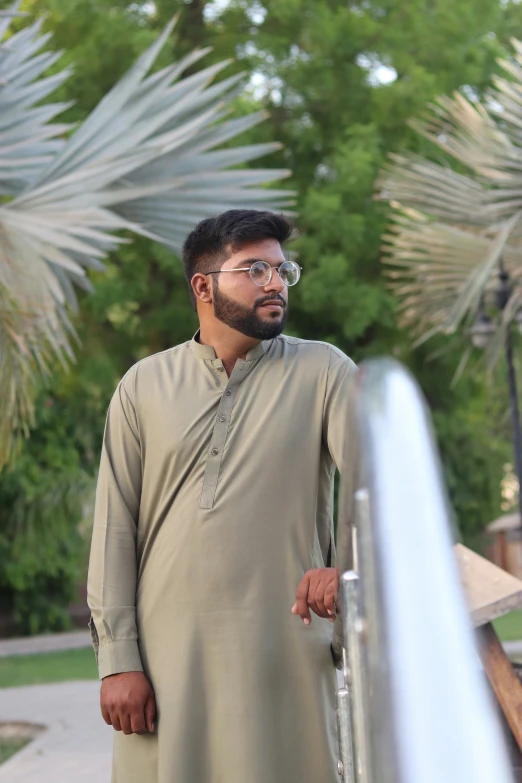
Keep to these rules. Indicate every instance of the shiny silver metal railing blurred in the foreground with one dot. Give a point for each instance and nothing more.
(415, 707)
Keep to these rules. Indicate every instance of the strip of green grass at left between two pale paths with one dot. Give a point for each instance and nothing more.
(48, 667)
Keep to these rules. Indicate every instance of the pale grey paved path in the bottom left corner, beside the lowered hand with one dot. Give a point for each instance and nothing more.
(77, 745)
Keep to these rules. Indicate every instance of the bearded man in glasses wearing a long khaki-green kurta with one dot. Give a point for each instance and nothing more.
(214, 503)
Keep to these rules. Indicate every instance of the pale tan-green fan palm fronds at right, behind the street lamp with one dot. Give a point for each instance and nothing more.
(456, 223)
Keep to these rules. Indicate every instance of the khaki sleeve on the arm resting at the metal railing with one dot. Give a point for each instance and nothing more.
(341, 437)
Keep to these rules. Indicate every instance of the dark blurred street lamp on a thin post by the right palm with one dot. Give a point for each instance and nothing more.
(482, 332)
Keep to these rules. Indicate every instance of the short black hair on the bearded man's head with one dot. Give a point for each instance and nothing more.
(214, 240)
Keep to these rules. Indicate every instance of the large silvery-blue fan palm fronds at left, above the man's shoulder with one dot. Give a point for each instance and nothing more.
(147, 160)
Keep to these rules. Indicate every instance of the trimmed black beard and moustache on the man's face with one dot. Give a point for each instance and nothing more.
(246, 320)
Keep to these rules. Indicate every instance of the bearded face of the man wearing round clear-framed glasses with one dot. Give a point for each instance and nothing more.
(258, 311)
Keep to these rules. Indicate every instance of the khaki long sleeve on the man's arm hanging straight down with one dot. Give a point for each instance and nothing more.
(111, 583)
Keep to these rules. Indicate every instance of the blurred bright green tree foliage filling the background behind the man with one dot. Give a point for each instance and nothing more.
(316, 66)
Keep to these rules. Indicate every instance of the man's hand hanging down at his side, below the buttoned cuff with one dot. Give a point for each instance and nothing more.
(127, 702)
